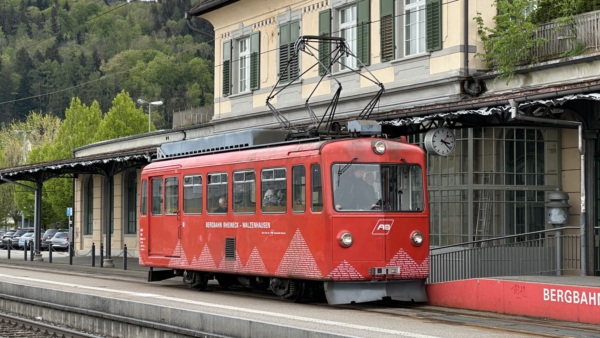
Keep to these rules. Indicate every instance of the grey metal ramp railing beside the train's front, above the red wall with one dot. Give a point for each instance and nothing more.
(533, 253)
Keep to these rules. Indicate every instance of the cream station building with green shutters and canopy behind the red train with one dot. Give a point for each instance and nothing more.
(514, 141)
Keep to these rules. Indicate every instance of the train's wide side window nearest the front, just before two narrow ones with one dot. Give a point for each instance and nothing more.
(274, 190)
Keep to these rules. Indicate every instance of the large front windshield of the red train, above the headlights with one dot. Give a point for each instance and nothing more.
(377, 187)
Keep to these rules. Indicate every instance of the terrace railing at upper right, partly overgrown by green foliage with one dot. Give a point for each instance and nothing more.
(562, 38)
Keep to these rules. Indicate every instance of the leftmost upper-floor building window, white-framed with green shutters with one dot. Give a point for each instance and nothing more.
(243, 56)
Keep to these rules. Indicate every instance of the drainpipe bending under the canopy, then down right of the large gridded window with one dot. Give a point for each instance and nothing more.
(582, 218)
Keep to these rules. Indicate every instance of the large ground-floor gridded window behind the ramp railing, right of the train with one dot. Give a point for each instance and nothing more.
(494, 188)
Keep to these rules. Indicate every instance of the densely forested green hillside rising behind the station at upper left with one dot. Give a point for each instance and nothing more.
(54, 50)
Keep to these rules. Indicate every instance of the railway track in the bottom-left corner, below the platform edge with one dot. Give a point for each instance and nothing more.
(19, 327)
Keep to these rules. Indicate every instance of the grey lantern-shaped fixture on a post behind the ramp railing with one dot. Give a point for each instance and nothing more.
(557, 214)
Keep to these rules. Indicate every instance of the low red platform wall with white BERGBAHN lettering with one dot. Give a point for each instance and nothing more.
(565, 298)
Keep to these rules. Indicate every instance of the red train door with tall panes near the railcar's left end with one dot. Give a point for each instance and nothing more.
(163, 223)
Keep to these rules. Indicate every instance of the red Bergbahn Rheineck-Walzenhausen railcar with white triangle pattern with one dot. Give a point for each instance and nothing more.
(347, 217)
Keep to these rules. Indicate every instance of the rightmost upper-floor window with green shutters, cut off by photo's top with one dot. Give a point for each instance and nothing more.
(415, 23)
